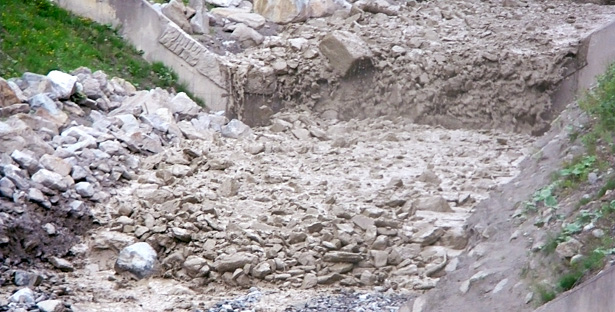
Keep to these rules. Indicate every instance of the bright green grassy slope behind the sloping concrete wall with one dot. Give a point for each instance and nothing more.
(38, 36)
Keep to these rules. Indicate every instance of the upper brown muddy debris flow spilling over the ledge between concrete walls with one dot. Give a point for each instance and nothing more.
(470, 64)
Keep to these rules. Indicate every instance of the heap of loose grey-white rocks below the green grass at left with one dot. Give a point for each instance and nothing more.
(67, 140)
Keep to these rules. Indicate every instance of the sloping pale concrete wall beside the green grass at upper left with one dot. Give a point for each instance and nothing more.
(161, 40)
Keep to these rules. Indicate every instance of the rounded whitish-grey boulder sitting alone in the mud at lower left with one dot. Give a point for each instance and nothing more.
(138, 259)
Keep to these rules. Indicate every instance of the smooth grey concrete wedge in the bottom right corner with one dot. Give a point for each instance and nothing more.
(595, 295)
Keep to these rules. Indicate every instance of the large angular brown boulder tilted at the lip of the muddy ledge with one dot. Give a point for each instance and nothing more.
(347, 53)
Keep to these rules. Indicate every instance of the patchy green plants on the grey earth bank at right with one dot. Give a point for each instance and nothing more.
(595, 210)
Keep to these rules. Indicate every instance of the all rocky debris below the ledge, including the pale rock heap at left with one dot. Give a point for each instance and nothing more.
(301, 204)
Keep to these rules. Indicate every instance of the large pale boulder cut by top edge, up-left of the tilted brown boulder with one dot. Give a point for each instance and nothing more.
(282, 11)
